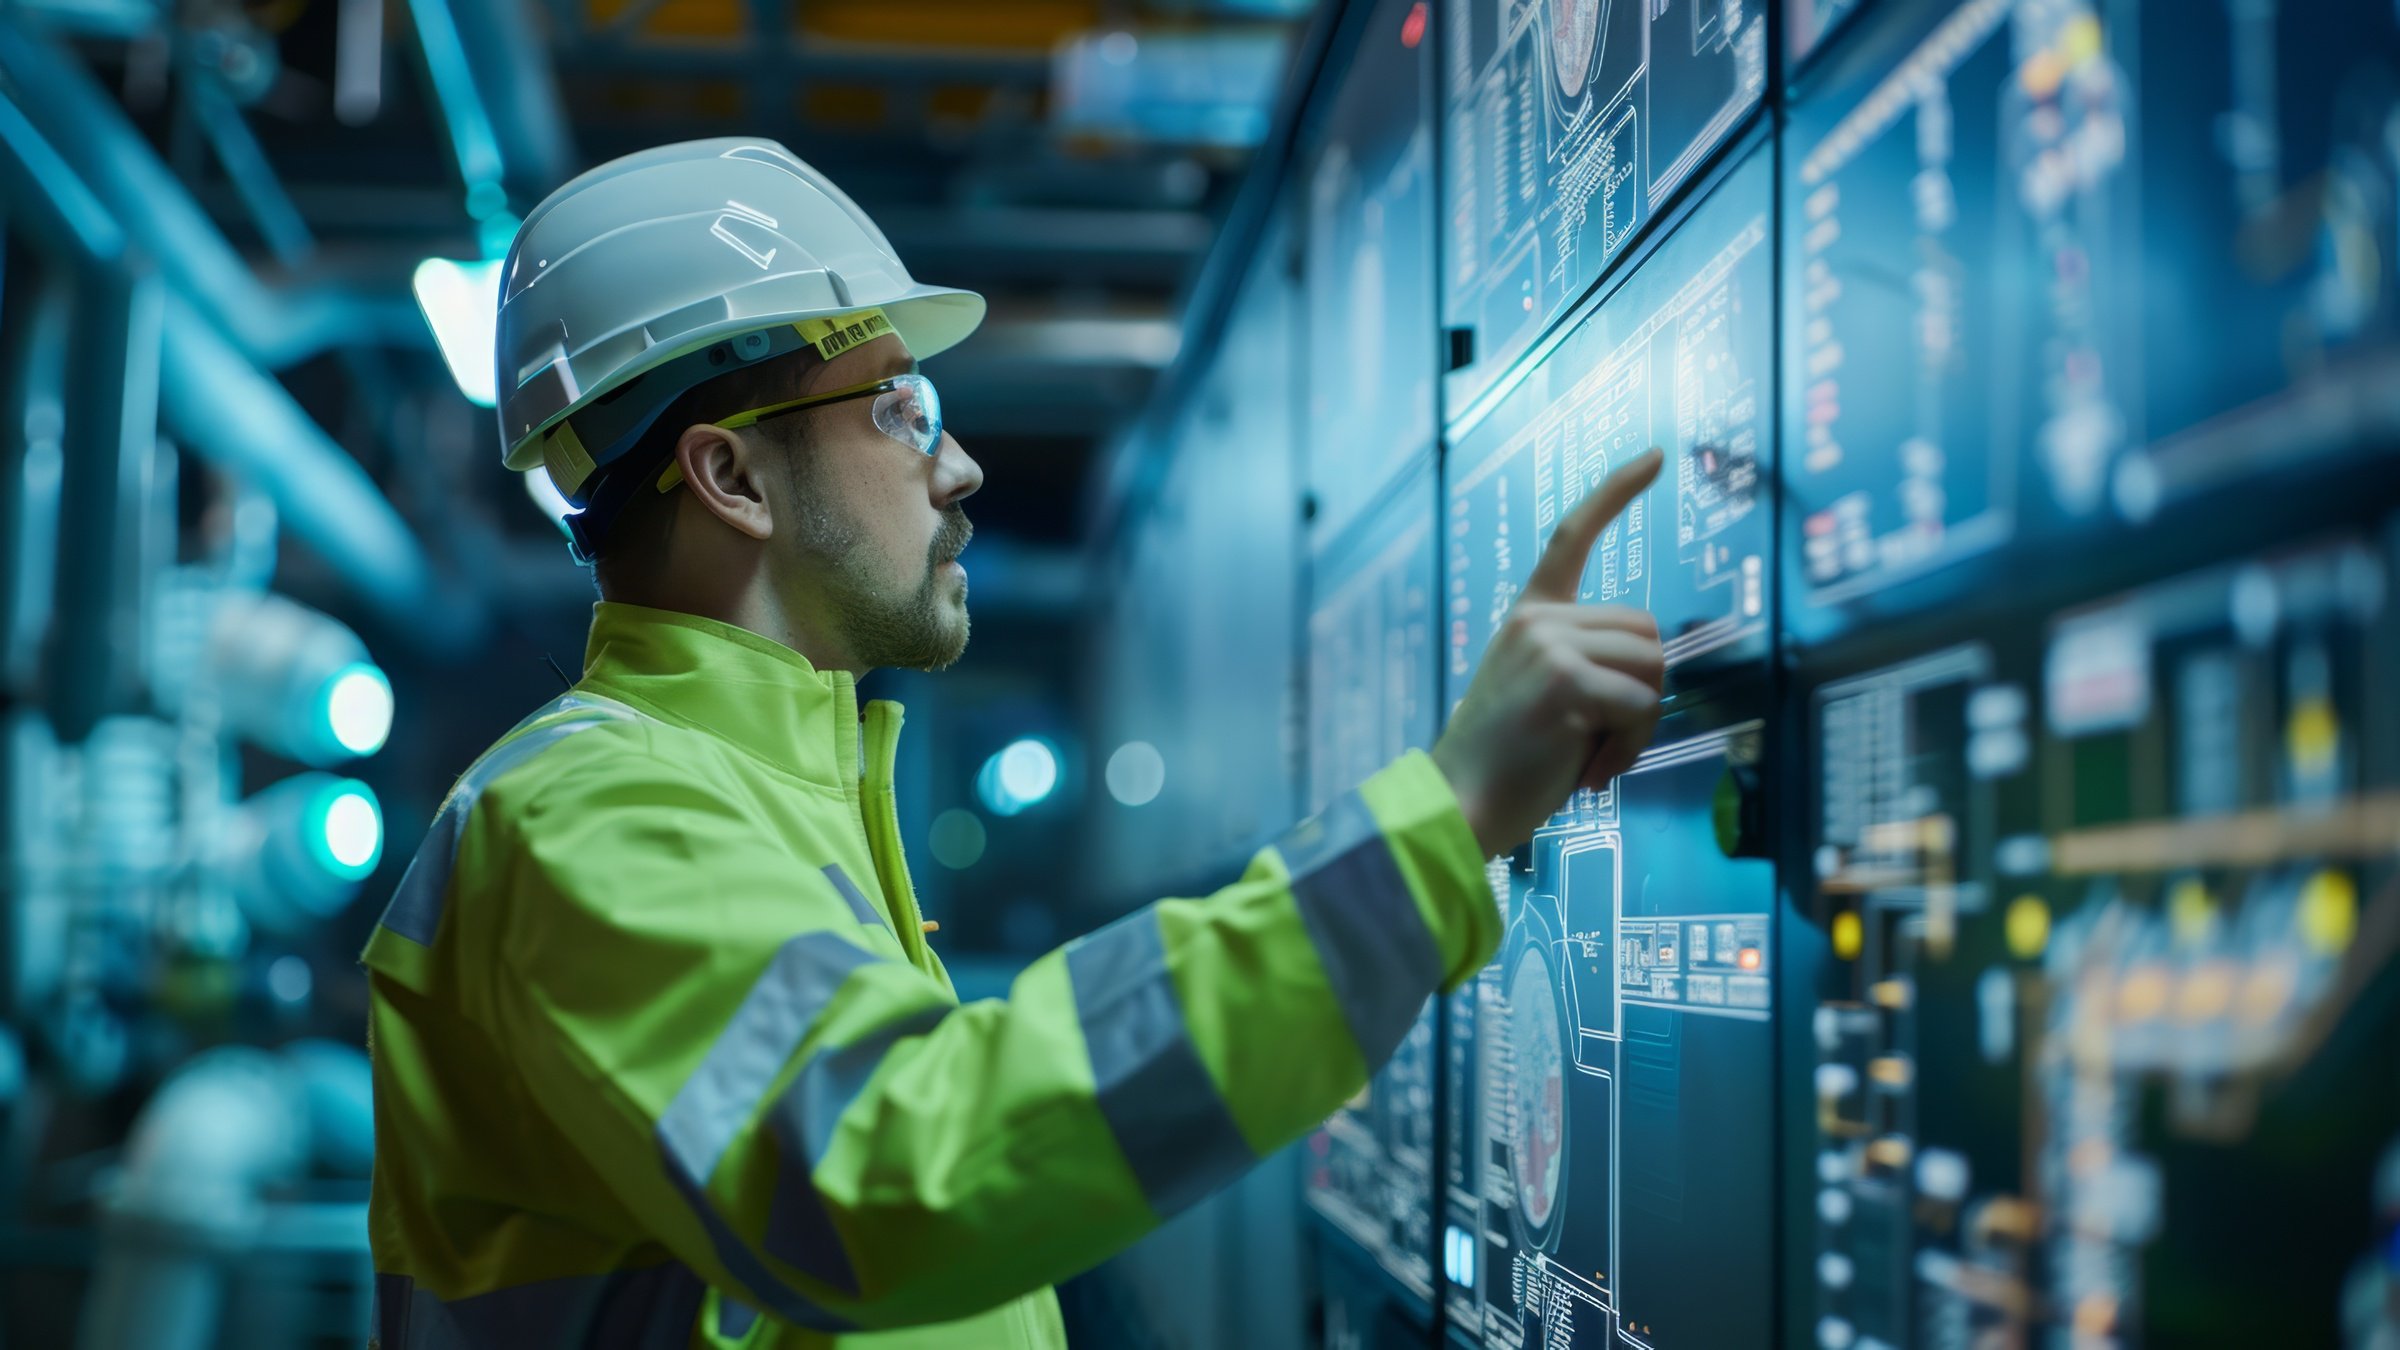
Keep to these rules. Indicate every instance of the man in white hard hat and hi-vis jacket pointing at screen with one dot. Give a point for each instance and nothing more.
(661, 1053)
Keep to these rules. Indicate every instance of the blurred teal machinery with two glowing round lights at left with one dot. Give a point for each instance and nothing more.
(160, 924)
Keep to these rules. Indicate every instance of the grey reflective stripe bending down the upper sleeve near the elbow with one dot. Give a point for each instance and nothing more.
(731, 1085)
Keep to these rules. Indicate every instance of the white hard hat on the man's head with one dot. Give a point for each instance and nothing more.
(659, 270)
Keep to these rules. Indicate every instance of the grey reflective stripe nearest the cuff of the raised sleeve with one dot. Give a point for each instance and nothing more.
(1379, 955)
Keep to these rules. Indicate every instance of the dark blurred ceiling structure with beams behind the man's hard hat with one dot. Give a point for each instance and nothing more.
(340, 143)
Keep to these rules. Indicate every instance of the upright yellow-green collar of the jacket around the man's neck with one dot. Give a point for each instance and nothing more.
(731, 683)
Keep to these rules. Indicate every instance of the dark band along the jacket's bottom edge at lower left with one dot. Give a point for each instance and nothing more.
(625, 1310)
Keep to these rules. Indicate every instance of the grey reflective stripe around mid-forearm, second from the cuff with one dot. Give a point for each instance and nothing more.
(1156, 1094)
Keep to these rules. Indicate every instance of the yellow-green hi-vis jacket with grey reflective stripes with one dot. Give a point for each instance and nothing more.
(664, 1058)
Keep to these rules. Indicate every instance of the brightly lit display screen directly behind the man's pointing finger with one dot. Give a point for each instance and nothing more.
(1679, 357)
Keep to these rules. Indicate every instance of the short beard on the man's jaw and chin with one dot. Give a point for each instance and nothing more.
(880, 628)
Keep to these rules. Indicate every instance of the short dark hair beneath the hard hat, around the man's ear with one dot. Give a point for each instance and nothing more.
(637, 539)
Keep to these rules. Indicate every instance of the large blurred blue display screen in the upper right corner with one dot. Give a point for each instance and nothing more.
(2056, 268)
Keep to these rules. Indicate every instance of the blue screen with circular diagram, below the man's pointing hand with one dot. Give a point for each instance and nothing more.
(1614, 1068)
